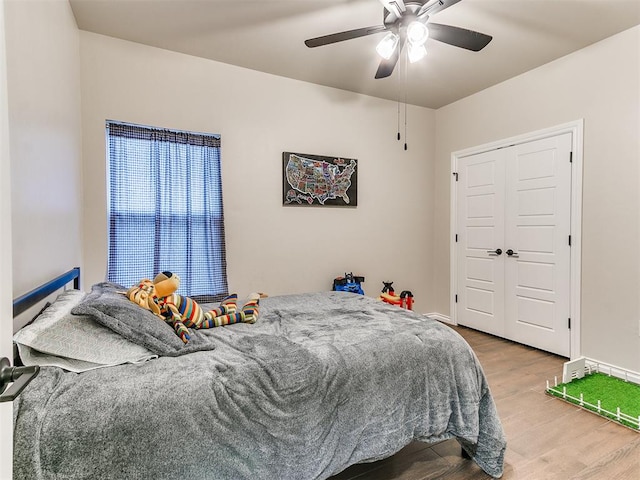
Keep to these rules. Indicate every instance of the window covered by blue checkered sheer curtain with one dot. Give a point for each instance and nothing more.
(165, 208)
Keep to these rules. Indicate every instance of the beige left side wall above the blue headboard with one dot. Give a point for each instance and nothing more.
(43, 62)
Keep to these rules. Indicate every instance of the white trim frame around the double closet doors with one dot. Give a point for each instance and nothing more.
(576, 128)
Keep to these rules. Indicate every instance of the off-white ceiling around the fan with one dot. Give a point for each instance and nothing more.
(268, 35)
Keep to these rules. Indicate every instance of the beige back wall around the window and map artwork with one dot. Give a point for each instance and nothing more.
(271, 248)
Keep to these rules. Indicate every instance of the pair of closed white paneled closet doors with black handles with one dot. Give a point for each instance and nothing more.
(513, 253)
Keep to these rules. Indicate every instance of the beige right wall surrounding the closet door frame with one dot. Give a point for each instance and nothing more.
(601, 84)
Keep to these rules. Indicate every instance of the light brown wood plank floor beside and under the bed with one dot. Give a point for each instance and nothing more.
(547, 439)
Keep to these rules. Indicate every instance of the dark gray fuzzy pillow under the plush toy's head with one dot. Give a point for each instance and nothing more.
(108, 305)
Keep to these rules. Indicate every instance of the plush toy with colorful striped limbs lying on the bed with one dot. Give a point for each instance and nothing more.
(182, 312)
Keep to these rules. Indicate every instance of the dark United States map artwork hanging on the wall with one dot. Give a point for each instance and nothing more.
(316, 180)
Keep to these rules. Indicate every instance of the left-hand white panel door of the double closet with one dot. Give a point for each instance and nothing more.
(480, 218)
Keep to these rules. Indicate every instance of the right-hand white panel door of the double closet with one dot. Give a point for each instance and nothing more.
(537, 228)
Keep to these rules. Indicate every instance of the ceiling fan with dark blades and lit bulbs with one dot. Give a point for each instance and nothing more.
(407, 22)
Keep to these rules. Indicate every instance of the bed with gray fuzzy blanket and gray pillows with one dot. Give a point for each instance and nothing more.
(320, 382)
